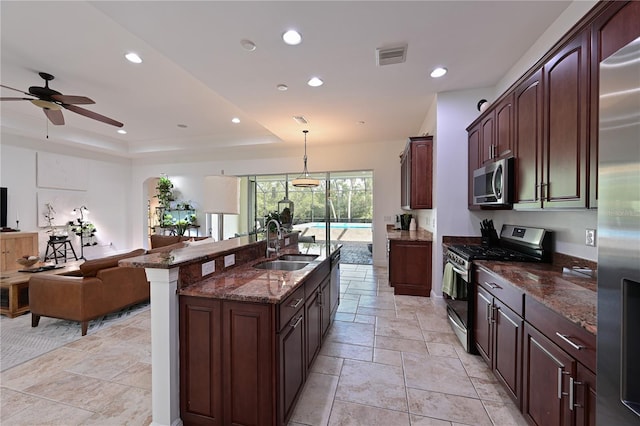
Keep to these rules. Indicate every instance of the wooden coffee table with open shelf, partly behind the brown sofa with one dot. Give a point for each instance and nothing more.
(14, 287)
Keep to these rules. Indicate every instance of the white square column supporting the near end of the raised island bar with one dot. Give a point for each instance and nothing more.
(165, 361)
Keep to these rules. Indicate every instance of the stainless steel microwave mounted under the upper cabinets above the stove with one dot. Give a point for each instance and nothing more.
(493, 184)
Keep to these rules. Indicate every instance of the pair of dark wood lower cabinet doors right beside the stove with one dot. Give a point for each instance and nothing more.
(498, 334)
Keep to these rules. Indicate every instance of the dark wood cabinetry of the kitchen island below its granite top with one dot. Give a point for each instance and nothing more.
(246, 362)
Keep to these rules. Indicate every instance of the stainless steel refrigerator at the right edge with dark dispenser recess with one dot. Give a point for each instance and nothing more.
(618, 368)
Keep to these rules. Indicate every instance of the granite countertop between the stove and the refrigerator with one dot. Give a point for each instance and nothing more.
(570, 295)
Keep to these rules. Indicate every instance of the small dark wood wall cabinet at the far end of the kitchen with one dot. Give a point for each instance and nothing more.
(416, 173)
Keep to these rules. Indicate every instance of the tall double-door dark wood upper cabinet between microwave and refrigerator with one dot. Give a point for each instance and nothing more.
(551, 131)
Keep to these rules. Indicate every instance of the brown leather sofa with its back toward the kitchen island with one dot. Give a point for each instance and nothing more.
(104, 287)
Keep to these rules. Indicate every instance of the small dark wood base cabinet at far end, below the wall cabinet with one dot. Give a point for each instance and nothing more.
(410, 267)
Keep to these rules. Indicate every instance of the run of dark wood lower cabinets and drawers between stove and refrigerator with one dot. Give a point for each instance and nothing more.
(543, 360)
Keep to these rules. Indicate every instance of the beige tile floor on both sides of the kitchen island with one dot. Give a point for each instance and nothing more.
(387, 360)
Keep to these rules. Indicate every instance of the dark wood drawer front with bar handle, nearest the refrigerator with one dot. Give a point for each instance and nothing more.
(572, 338)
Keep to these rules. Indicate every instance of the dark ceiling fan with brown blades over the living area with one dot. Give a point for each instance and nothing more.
(52, 102)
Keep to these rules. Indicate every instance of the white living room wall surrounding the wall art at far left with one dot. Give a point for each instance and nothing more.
(107, 194)
